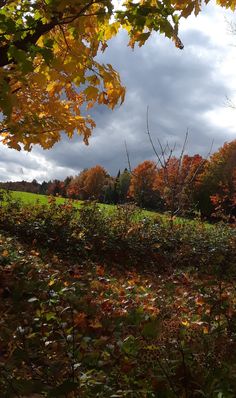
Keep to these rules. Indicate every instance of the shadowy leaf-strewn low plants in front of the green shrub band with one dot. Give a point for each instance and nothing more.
(83, 329)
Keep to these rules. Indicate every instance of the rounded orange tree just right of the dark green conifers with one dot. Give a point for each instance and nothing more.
(142, 185)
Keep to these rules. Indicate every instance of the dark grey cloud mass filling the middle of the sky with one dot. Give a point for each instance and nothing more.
(179, 87)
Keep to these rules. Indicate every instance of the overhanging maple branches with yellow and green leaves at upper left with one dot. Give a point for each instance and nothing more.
(49, 72)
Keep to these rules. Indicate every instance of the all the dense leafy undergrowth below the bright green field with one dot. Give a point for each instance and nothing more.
(113, 305)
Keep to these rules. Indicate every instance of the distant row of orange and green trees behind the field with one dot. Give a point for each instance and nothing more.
(180, 186)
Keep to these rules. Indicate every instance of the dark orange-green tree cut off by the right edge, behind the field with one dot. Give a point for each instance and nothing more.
(217, 190)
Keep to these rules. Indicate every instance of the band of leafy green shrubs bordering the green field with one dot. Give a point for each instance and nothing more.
(121, 236)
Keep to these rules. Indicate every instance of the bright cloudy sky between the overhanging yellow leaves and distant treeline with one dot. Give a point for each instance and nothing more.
(185, 89)
